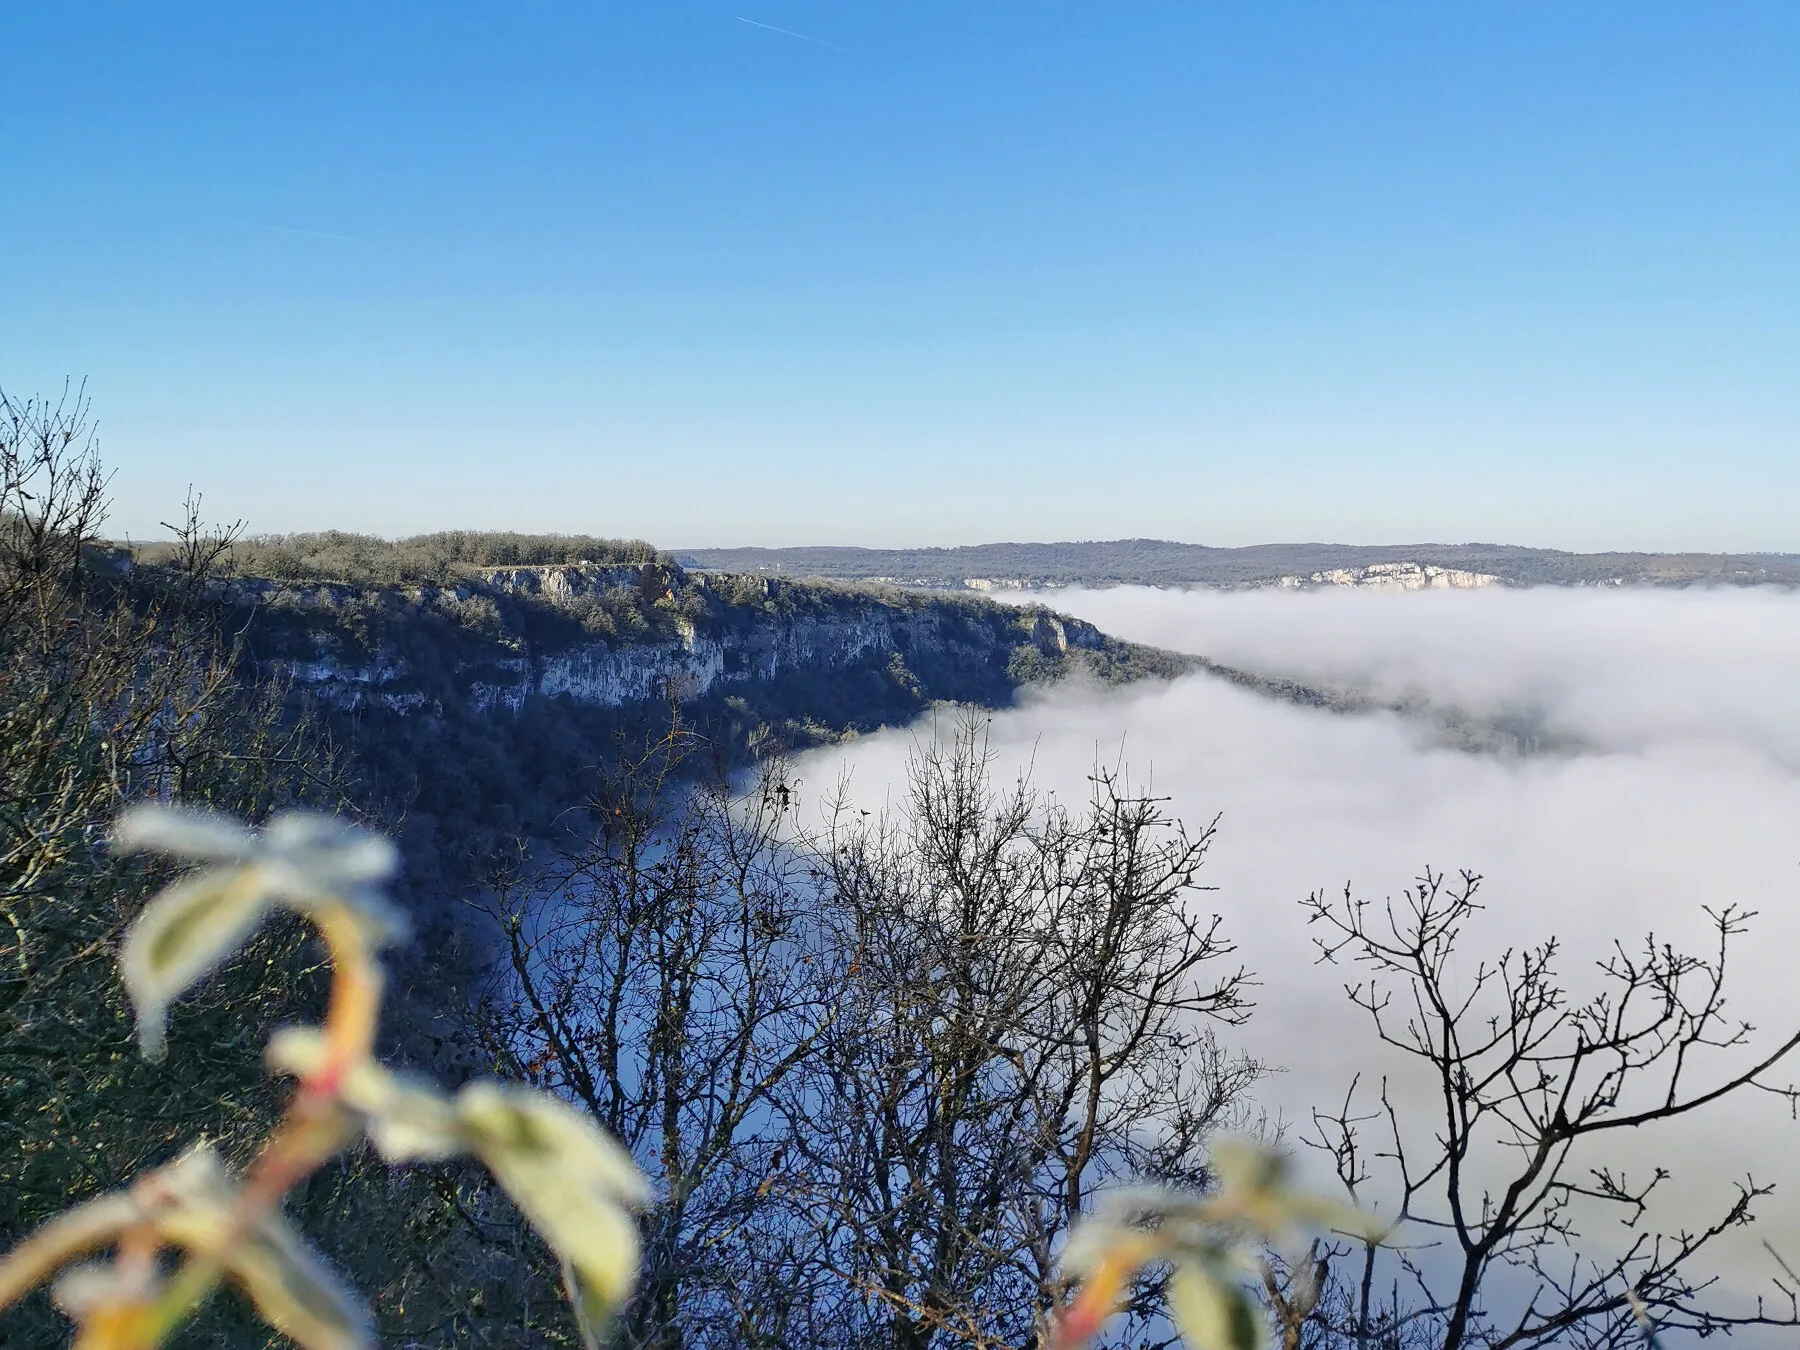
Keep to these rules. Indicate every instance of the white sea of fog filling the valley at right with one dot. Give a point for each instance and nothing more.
(1675, 787)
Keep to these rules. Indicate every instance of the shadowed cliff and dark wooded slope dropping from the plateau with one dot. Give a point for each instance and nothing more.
(438, 692)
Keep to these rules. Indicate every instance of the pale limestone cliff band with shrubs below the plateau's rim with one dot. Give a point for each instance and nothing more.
(703, 636)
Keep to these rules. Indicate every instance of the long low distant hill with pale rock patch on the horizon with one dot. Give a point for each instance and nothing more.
(1162, 562)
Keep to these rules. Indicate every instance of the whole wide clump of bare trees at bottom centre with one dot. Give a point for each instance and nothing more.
(876, 1068)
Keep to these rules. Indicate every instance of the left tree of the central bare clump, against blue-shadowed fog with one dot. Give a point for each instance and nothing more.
(667, 980)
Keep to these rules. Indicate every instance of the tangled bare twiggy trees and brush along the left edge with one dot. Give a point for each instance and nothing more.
(116, 683)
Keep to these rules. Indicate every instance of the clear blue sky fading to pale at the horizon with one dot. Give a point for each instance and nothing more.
(784, 273)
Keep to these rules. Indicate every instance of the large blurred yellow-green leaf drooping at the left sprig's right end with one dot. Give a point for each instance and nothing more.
(568, 1178)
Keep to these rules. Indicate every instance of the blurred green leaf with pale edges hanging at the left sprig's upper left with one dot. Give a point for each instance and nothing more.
(183, 937)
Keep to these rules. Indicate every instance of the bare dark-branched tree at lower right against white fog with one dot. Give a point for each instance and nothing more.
(1525, 1079)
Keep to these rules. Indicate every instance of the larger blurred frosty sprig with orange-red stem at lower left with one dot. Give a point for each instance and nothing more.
(571, 1182)
